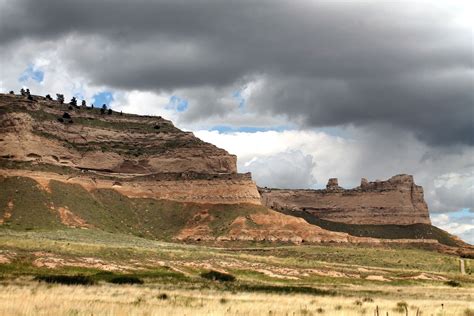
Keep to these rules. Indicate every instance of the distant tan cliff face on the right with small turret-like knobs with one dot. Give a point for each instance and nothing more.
(397, 201)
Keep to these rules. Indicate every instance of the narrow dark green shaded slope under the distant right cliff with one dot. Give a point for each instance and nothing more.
(416, 231)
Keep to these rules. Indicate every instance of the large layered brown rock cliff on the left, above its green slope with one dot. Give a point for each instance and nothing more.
(138, 155)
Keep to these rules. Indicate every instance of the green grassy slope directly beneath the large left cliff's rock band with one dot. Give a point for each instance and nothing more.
(106, 209)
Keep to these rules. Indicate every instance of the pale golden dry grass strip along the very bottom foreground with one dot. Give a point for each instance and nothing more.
(29, 298)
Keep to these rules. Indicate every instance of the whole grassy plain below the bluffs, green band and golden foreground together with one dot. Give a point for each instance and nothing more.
(269, 279)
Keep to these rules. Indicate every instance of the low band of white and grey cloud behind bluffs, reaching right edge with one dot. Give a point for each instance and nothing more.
(447, 177)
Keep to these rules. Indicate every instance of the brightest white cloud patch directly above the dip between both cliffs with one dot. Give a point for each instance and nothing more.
(329, 153)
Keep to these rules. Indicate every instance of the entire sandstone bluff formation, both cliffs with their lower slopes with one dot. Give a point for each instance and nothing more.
(63, 165)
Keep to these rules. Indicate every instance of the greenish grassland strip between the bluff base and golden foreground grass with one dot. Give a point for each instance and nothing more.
(245, 263)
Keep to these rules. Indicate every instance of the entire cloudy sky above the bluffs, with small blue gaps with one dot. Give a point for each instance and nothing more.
(300, 90)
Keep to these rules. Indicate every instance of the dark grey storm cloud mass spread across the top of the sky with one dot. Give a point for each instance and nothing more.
(407, 64)
